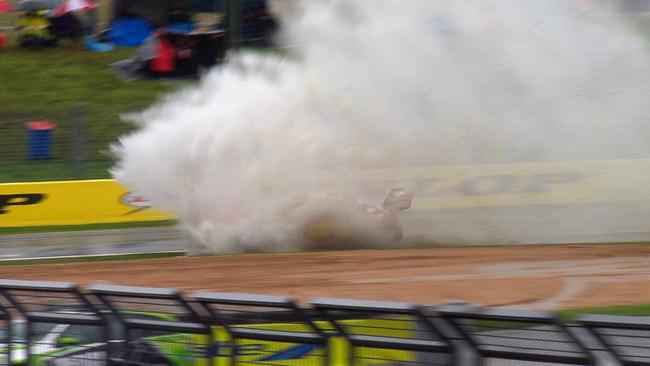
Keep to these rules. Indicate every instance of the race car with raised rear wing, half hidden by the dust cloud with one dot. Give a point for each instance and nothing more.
(334, 221)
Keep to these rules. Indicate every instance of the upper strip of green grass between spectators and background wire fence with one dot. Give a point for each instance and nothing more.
(63, 77)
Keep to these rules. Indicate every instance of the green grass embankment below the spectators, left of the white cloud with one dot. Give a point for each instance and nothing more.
(49, 84)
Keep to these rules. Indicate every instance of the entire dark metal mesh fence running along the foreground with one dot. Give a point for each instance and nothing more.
(59, 323)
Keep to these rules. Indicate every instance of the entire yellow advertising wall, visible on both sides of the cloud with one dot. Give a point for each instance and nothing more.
(104, 201)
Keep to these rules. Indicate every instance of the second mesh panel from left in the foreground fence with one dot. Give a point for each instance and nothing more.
(157, 325)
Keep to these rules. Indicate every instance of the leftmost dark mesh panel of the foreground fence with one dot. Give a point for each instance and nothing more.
(51, 310)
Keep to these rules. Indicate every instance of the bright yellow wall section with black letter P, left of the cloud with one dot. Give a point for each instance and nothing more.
(72, 203)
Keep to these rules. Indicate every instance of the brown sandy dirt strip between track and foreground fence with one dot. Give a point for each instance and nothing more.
(532, 277)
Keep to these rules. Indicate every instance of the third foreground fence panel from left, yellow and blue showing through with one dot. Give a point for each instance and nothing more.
(263, 330)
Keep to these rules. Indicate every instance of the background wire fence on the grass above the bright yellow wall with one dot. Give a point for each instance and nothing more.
(79, 145)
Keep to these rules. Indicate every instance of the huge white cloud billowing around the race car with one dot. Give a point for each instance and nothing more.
(388, 84)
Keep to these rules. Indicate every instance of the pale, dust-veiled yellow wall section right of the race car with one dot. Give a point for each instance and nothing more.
(519, 184)
